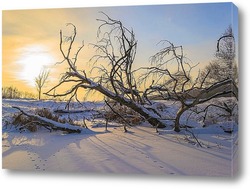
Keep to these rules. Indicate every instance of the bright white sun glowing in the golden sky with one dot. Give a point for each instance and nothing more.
(33, 59)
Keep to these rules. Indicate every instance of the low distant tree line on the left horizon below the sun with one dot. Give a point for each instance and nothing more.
(13, 93)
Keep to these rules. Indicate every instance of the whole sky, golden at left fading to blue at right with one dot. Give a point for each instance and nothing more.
(30, 38)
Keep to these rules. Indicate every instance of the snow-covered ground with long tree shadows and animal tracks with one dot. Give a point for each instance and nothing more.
(141, 150)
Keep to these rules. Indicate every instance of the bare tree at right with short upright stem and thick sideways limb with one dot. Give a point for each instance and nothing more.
(174, 81)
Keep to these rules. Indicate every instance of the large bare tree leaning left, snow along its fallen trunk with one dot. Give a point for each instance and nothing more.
(117, 48)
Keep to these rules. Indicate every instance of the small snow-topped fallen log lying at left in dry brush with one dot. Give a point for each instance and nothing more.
(49, 124)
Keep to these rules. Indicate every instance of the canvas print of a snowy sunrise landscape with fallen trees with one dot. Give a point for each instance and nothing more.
(121, 90)
